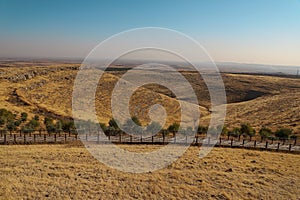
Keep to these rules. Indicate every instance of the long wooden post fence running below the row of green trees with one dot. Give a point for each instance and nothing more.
(41, 136)
